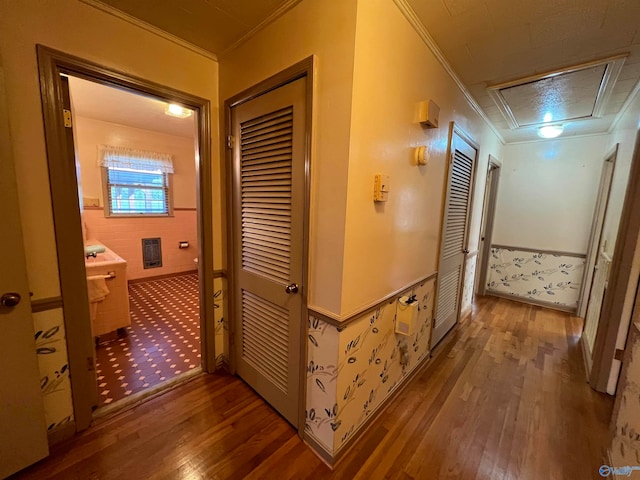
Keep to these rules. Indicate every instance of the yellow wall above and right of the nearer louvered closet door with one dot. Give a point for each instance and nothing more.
(325, 29)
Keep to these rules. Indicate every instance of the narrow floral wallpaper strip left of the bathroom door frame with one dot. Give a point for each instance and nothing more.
(53, 362)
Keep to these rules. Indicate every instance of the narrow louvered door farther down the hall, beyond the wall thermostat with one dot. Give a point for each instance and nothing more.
(453, 243)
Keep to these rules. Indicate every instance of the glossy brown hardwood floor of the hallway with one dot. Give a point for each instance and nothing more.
(504, 398)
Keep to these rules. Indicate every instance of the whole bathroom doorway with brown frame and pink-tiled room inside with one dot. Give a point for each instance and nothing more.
(136, 317)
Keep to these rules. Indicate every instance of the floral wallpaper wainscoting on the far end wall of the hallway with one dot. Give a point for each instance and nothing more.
(545, 278)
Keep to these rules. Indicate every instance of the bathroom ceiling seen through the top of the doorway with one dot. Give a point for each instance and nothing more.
(108, 104)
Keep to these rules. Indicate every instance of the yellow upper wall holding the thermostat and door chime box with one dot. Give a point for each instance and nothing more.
(391, 245)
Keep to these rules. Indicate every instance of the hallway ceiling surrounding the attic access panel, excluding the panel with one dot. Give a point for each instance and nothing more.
(488, 42)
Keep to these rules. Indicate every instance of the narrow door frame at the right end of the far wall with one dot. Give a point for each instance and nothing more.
(597, 227)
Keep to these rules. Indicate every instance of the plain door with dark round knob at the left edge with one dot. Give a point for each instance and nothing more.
(23, 432)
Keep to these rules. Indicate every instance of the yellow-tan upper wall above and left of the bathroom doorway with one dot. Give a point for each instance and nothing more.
(86, 32)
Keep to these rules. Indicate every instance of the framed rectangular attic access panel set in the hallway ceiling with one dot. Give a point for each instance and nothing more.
(570, 94)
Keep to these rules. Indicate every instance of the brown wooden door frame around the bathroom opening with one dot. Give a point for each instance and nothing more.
(66, 212)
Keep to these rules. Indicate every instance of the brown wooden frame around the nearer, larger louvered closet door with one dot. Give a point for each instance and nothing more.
(304, 68)
